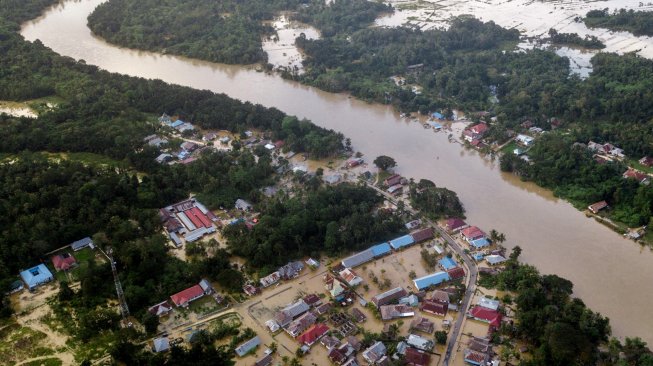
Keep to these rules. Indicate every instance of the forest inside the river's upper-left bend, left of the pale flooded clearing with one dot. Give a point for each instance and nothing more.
(219, 31)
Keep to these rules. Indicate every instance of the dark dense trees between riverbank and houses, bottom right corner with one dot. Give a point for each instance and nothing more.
(560, 329)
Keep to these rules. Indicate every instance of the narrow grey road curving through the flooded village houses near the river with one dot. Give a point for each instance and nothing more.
(472, 269)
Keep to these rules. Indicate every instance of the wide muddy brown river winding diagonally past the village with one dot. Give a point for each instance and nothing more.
(611, 274)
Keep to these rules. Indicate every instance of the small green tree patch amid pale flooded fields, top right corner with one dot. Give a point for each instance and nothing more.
(637, 22)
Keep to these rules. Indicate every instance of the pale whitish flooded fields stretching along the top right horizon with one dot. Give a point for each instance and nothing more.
(532, 18)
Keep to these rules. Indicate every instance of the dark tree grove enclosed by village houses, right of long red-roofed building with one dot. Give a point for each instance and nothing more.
(333, 220)
